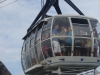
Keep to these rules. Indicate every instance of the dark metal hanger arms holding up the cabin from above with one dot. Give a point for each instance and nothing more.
(47, 6)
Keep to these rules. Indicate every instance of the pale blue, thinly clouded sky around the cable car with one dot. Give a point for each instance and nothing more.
(17, 15)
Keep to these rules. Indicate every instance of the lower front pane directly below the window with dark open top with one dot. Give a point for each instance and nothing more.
(82, 47)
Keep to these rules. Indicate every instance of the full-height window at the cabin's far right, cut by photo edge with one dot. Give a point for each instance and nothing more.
(96, 33)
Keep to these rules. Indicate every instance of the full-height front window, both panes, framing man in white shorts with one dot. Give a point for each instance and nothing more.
(61, 27)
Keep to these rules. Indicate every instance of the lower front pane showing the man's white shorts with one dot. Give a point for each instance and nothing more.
(62, 46)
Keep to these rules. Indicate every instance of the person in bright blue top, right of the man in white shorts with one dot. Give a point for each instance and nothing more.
(68, 41)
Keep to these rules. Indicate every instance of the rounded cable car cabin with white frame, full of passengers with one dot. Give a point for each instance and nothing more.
(71, 43)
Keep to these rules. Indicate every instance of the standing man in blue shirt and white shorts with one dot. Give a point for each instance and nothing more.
(56, 44)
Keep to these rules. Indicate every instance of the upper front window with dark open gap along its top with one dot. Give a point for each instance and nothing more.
(80, 27)
